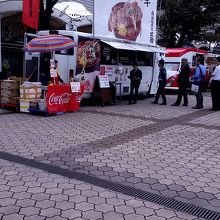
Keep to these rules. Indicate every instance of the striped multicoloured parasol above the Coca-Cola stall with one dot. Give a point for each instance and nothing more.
(49, 43)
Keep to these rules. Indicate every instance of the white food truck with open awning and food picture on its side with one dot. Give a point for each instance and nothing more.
(94, 56)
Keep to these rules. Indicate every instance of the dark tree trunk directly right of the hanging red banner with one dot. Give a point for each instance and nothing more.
(45, 13)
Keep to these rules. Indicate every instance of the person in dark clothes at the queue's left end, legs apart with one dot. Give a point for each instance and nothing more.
(162, 83)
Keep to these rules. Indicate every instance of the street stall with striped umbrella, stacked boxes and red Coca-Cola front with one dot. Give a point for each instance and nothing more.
(55, 97)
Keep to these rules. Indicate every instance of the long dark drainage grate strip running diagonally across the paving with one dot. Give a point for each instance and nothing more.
(138, 193)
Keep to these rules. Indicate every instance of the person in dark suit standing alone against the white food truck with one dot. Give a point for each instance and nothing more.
(135, 77)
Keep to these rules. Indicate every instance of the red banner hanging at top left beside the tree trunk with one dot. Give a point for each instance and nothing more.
(30, 13)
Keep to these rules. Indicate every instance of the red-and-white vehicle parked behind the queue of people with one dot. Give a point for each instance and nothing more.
(172, 59)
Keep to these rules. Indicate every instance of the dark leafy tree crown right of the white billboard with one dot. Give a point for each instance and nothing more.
(182, 21)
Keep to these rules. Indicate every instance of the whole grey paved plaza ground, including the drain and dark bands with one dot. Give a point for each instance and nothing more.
(120, 162)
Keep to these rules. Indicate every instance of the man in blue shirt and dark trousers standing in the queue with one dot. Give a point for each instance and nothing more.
(198, 76)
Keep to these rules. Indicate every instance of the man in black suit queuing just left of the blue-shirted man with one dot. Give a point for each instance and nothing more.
(183, 81)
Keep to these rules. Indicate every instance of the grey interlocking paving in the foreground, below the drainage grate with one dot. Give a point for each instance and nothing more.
(72, 199)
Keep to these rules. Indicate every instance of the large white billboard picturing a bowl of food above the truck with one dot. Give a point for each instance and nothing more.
(133, 20)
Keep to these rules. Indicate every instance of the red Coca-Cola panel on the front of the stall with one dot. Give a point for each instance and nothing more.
(60, 99)
